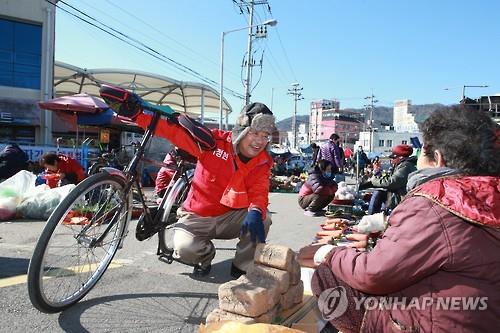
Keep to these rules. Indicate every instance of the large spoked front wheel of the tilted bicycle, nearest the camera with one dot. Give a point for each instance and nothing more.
(66, 264)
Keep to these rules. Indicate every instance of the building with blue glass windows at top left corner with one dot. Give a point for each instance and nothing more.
(26, 70)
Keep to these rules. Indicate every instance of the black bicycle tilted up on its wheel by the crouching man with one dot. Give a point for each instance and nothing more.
(87, 228)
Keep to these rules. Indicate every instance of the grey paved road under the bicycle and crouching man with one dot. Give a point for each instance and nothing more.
(142, 294)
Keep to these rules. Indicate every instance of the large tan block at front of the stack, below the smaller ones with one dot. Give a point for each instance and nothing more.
(248, 298)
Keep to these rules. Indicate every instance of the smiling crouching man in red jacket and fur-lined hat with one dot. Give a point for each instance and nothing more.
(229, 192)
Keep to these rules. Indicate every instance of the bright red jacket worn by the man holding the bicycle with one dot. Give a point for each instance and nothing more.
(222, 182)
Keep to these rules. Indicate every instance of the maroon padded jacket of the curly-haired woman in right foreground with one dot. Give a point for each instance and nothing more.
(443, 242)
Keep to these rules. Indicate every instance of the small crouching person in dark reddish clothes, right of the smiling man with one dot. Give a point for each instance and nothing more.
(318, 190)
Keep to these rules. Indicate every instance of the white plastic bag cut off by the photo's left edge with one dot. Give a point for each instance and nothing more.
(12, 191)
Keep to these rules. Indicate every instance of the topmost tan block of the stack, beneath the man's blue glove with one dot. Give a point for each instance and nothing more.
(276, 256)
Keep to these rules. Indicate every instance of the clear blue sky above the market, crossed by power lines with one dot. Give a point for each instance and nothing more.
(340, 49)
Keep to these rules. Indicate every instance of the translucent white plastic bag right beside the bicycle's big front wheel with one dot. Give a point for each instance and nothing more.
(42, 201)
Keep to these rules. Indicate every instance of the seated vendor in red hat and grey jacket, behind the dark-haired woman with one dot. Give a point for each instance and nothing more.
(393, 185)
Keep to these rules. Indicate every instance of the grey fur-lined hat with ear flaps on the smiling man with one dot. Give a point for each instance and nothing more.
(256, 116)
